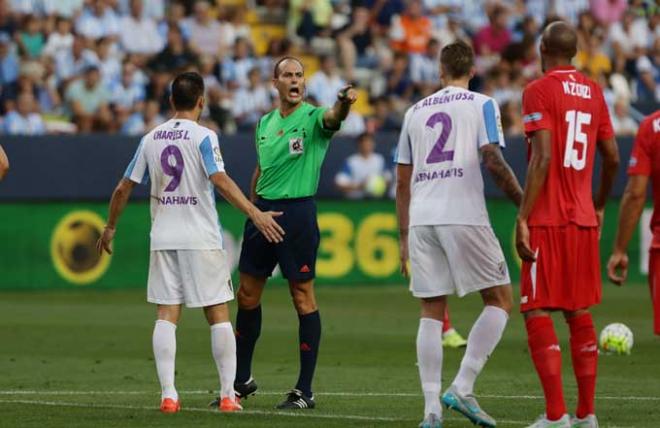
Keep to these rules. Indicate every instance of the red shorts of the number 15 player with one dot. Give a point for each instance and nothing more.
(566, 274)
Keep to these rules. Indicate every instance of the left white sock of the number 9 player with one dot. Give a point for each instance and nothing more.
(164, 344)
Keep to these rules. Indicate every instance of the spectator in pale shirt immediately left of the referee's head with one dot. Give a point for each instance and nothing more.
(252, 101)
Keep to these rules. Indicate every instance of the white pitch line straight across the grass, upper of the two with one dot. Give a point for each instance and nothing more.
(328, 394)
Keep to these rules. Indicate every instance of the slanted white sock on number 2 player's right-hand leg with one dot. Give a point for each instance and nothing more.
(484, 336)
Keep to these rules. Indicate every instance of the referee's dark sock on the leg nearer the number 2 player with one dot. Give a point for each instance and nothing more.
(309, 334)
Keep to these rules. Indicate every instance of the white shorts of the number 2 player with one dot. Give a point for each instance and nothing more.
(455, 259)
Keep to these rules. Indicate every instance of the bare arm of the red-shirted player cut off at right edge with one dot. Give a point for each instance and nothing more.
(632, 205)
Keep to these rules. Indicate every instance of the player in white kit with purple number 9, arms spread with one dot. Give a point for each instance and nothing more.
(188, 263)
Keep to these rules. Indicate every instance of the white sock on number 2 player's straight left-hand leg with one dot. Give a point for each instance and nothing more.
(429, 360)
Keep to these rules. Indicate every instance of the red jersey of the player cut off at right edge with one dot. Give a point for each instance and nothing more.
(645, 160)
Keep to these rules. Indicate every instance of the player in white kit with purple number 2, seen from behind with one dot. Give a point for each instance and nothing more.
(444, 226)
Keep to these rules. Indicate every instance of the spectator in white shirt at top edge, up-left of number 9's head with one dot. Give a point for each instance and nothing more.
(205, 32)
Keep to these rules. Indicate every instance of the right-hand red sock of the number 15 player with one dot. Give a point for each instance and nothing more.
(584, 351)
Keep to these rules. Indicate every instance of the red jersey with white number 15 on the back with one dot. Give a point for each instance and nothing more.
(571, 106)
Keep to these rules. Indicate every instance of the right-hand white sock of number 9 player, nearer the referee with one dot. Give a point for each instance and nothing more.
(223, 345)
